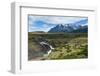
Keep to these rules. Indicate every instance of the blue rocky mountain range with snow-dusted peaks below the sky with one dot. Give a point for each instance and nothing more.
(76, 27)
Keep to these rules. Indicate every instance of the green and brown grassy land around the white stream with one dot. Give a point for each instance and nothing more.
(66, 45)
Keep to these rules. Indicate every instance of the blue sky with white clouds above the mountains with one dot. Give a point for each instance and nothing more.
(45, 23)
